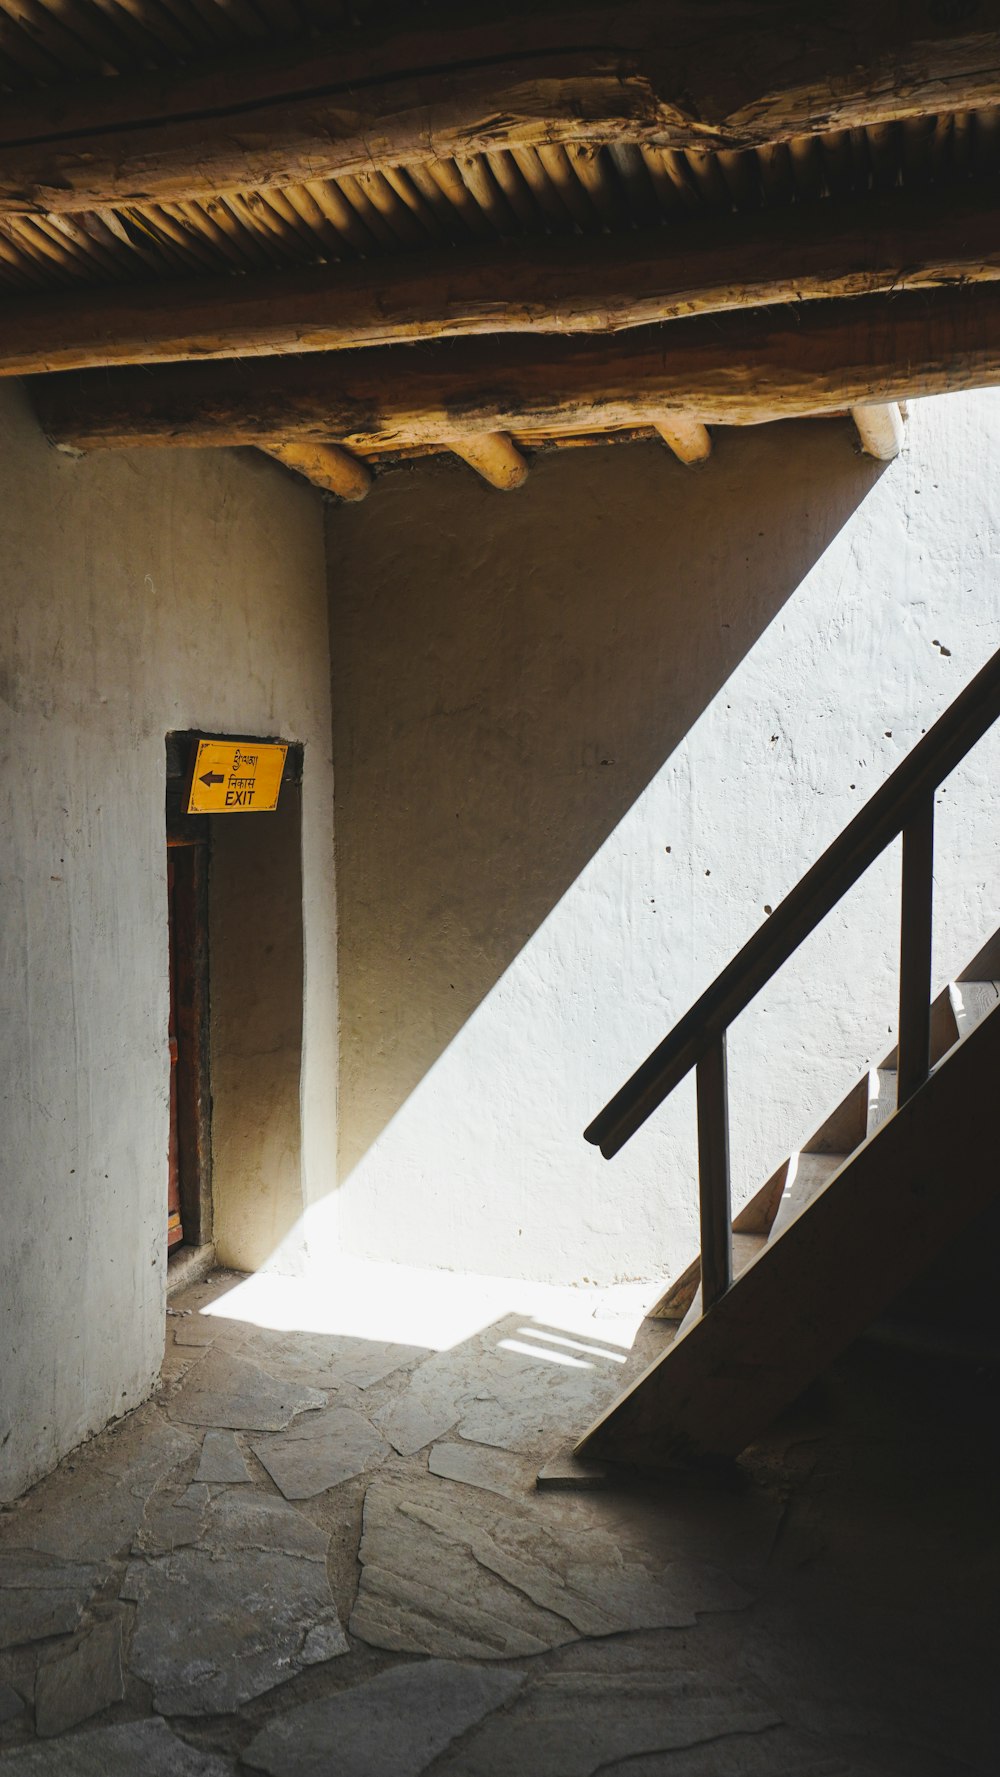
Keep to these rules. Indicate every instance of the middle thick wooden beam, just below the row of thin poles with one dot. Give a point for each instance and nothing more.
(576, 285)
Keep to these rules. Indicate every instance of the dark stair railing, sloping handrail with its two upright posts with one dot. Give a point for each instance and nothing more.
(905, 804)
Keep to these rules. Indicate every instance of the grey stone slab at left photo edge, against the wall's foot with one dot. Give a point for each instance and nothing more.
(91, 1508)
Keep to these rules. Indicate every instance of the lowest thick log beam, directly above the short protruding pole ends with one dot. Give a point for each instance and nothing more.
(729, 371)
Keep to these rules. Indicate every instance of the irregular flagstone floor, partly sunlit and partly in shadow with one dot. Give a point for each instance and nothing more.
(319, 1552)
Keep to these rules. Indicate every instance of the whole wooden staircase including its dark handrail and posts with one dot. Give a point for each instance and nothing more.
(862, 1209)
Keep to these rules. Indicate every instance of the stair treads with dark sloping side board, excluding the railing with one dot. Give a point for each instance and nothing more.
(864, 1234)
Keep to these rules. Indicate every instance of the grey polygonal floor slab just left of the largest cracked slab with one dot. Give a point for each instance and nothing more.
(226, 1622)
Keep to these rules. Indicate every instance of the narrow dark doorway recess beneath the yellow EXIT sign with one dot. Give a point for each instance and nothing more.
(235, 902)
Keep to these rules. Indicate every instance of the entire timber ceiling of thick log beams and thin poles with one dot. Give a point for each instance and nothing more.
(331, 186)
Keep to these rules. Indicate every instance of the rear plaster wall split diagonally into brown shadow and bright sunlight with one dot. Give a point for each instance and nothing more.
(585, 737)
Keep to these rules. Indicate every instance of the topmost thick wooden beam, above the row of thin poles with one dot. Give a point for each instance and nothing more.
(525, 77)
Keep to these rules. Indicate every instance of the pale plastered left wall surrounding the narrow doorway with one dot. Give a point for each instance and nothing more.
(139, 594)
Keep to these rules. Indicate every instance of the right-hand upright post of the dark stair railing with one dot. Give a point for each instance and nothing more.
(916, 923)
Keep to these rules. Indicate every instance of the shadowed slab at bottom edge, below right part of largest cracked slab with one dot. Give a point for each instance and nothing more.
(580, 1723)
